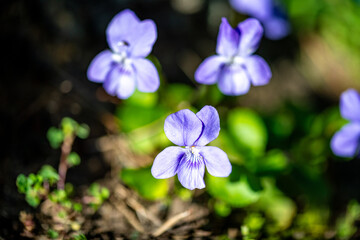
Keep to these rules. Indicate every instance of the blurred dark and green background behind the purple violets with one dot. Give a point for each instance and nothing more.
(286, 183)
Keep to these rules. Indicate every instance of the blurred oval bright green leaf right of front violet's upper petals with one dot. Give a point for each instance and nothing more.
(248, 129)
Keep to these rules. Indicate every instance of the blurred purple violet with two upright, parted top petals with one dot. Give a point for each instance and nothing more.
(234, 68)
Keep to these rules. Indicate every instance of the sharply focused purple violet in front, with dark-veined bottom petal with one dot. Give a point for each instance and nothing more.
(194, 131)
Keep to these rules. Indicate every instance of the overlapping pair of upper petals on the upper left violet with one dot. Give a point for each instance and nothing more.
(126, 31)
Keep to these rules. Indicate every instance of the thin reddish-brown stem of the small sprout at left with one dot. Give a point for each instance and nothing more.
(63, 166)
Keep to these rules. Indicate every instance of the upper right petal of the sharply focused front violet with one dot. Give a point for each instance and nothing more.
(211, 128)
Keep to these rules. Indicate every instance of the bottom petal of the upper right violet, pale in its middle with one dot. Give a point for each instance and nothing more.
(234, 81)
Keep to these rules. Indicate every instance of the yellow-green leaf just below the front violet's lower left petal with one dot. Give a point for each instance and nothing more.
(144, 183)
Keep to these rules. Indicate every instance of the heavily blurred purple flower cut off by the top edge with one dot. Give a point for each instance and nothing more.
(271, 15)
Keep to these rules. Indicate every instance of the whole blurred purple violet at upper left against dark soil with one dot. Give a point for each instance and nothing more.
(125, 68)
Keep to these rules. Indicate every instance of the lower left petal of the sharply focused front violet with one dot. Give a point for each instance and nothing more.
(166, 163)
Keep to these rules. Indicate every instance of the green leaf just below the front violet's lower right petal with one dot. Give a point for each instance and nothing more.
(240, 189)
